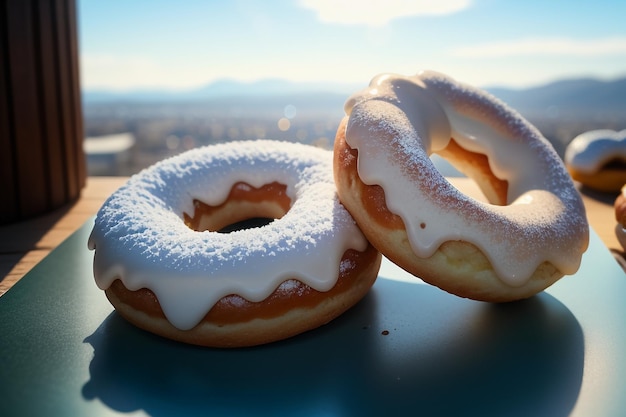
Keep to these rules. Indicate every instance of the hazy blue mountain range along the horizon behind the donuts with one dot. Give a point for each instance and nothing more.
(565, 98)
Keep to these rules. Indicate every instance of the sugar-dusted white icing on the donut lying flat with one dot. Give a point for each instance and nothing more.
(140, 237)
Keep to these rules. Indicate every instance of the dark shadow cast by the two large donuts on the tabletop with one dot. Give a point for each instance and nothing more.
(405, 348)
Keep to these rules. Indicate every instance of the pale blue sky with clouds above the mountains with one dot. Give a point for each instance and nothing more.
(164, 44)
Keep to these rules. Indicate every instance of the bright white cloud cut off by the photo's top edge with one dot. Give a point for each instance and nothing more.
(379, 12)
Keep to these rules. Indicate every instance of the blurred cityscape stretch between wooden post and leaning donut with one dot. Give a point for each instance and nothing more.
(123, 138)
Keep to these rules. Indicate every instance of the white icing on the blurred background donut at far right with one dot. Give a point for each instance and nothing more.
(590, 151)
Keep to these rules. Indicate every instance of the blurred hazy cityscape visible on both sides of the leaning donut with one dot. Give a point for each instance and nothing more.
(124, 136)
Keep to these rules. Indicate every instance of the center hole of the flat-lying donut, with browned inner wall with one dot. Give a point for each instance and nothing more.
(246, 207)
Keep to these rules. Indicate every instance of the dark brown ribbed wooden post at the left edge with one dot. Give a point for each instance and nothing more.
(42, 163)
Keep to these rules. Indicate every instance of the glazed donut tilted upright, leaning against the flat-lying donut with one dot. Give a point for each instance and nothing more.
(533, 231)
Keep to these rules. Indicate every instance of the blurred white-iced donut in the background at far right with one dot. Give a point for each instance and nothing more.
(597, 159)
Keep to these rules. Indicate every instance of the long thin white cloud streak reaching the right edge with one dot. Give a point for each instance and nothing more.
(546, 46)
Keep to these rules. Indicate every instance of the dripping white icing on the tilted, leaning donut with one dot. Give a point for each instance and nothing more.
(399, 121)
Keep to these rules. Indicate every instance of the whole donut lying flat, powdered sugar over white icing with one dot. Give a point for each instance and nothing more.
(168, 265)
